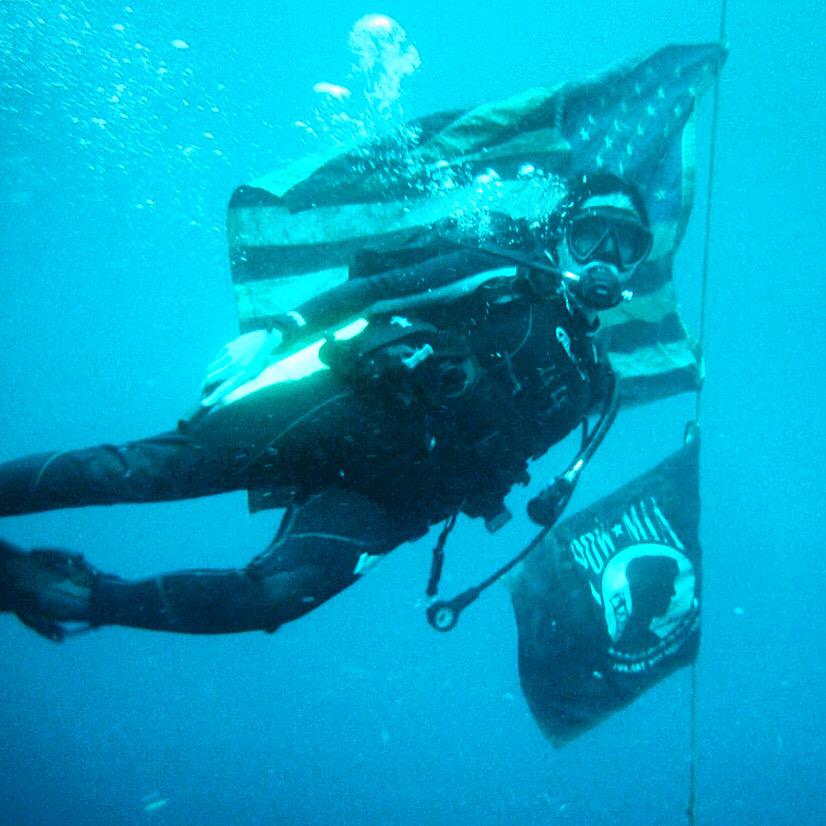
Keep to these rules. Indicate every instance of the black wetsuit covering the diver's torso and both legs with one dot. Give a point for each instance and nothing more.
(370, 458)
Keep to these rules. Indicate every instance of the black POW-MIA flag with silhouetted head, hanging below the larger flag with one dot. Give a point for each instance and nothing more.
(609, 604)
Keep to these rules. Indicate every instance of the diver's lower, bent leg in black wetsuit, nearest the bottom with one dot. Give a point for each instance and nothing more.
(322, 547)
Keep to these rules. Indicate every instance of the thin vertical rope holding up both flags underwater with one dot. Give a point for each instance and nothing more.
(691, 812)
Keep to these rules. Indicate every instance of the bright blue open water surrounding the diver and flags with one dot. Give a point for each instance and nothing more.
(115, 294)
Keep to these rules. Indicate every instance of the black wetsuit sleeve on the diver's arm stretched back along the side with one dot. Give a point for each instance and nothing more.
(377, 293)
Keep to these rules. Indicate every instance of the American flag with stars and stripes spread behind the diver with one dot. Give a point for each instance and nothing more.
(300, 230)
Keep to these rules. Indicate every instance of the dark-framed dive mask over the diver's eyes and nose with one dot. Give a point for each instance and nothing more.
(607, 234)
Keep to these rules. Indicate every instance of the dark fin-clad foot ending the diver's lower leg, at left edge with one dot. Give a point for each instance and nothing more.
(45, 588)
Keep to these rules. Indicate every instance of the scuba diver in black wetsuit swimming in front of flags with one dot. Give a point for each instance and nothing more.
(395, 401)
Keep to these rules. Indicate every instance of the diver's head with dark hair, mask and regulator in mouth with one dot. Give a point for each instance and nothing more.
(600, 239)
